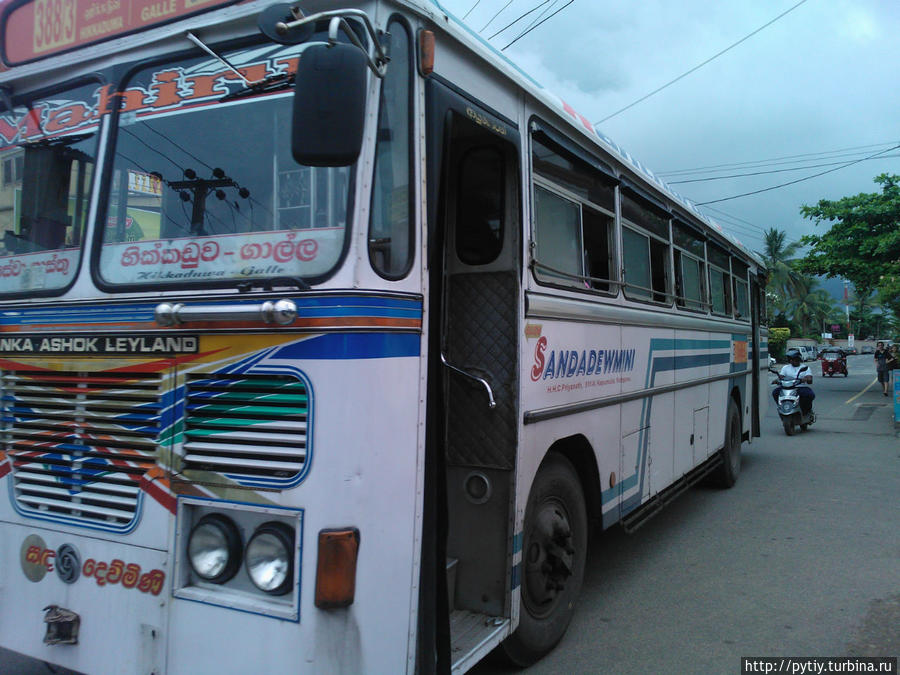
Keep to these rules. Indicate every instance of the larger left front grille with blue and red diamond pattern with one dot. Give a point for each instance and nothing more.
(80, 442)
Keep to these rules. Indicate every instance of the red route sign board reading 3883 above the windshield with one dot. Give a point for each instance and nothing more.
(40, 28)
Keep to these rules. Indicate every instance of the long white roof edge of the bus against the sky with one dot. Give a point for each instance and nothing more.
(456, 27)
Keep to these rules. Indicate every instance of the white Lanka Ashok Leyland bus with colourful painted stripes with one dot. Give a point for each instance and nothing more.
(328, 336)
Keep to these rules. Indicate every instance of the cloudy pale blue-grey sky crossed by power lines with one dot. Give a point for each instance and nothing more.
(817, 88)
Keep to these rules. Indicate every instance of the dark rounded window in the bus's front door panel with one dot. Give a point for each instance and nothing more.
(479, 220)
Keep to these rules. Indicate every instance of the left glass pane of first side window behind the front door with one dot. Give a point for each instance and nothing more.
(558, 238)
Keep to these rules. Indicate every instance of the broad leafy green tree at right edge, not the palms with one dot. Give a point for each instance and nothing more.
(863, 244)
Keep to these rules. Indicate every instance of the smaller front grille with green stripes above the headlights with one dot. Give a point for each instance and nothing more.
(251, 428)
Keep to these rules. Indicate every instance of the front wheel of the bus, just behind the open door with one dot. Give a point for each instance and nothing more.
(554, 549)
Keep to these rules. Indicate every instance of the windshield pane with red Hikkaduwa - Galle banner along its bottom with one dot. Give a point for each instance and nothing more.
(204, 187)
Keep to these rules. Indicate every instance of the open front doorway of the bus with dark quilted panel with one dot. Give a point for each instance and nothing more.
(474, 162)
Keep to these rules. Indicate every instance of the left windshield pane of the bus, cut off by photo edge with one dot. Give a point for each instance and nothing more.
(47, 156)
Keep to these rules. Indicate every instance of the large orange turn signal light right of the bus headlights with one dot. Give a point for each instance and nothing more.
(336, 568)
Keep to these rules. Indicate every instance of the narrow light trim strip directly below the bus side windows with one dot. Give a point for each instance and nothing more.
(542, 306)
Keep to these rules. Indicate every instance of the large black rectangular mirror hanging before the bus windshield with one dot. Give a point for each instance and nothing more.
(329, 105)
